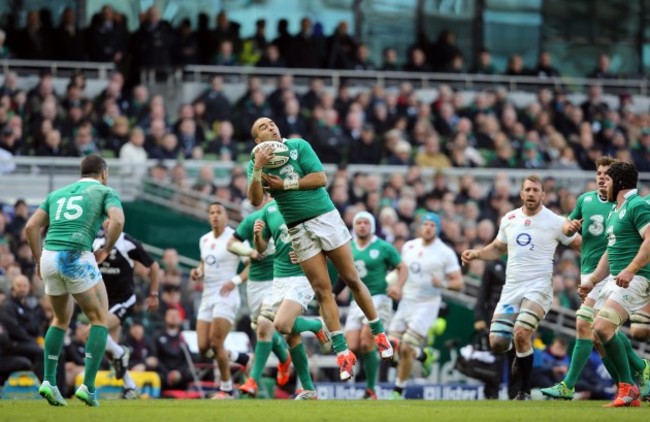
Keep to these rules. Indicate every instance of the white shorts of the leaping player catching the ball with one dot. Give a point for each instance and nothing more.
(323, 233)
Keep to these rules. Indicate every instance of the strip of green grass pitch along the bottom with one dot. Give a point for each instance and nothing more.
(317, 411)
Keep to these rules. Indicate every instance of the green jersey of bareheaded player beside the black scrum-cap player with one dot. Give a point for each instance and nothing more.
(594, 211)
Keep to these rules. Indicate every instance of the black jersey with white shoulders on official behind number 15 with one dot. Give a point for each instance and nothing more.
(117, 269)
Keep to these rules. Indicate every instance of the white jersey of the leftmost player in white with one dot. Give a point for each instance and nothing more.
(219, 265)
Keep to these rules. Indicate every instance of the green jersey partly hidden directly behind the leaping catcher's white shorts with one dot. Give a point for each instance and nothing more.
(277, 230)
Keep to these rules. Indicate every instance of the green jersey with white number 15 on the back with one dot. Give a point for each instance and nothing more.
(76, 213)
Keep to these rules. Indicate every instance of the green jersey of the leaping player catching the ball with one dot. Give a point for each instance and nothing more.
(298, 205)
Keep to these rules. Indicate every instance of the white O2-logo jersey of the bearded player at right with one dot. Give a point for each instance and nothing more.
(531, 244)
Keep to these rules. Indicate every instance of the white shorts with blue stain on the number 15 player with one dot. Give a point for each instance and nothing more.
(68, 272)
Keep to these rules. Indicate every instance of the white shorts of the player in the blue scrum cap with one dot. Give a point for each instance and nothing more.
(416, 316)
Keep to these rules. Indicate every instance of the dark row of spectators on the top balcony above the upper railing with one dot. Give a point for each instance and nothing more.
(156, 44)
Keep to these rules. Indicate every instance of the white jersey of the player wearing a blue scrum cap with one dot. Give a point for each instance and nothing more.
(425, 263)
